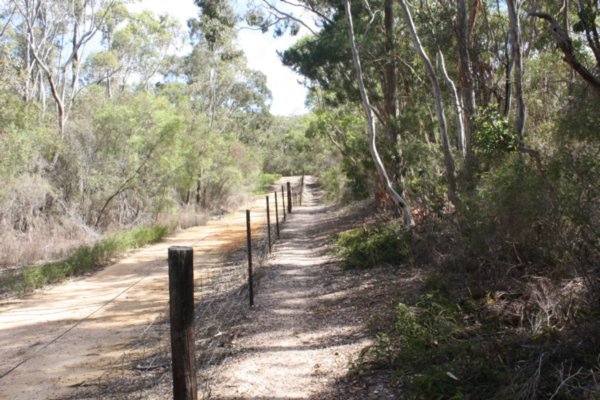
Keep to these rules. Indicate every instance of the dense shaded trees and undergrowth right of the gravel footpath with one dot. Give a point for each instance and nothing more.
(500, 179)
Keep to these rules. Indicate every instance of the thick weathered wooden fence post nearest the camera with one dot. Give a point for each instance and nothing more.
(181, 310)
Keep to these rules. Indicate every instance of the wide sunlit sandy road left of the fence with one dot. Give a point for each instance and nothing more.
(63, 336)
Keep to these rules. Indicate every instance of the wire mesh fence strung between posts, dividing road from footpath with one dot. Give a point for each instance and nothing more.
(221, 302)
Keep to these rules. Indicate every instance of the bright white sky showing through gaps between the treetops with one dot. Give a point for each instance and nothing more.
(261, 53)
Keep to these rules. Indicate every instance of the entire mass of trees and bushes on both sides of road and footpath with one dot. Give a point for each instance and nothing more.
(472, 125)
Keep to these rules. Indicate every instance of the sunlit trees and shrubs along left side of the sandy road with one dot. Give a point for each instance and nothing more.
(105, 144)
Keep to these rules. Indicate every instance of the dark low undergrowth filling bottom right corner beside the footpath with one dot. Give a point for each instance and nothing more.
(442, 347)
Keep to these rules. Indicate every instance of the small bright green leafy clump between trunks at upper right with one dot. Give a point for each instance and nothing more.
(493, 132)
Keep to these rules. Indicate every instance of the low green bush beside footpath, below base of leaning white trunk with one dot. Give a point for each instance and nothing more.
(368, 247)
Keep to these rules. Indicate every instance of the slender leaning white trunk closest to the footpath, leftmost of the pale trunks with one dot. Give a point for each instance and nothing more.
(371, 127)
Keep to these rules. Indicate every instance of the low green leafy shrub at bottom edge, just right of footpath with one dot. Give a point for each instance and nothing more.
(426, 349)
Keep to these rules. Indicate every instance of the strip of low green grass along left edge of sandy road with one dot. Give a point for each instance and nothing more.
(85, 259)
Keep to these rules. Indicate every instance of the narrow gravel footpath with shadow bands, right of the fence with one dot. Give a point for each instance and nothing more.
(298, 339)
